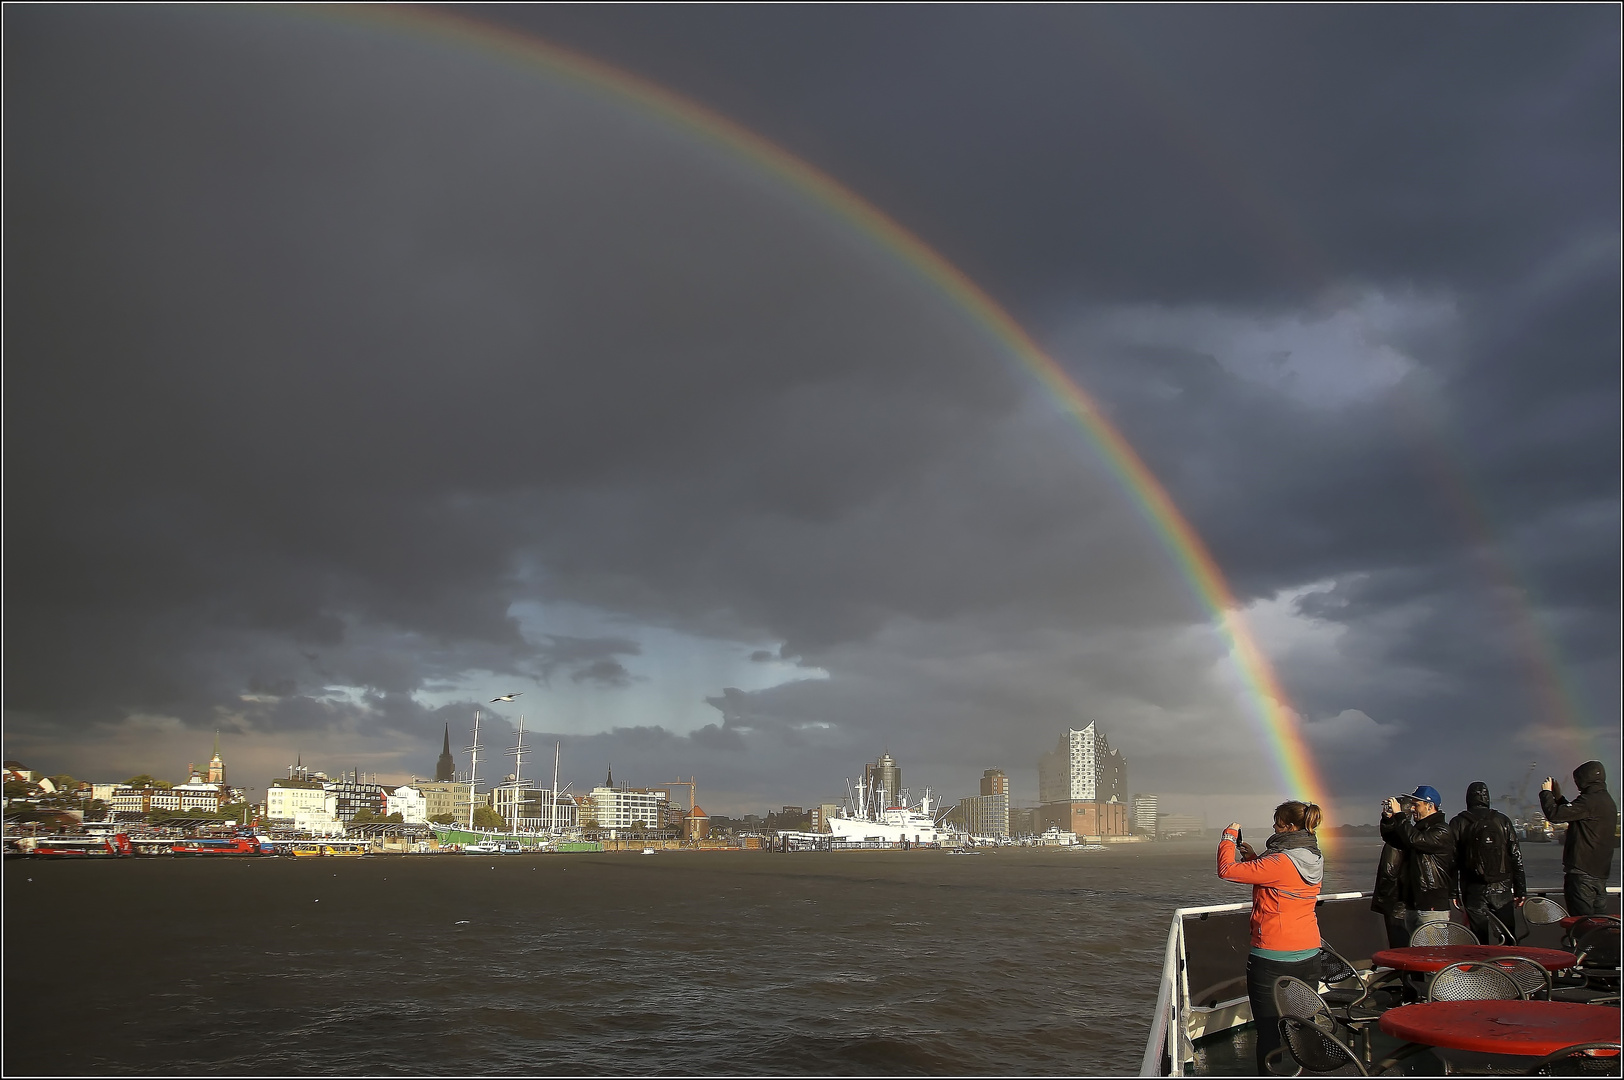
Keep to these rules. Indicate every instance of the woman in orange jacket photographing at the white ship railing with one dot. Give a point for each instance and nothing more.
(1285, 931)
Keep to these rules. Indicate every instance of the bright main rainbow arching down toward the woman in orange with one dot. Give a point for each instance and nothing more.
(1276, 719)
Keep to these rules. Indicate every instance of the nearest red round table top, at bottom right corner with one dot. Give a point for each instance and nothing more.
(1522, 1029)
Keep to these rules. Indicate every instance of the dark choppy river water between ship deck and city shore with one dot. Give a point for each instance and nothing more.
(1011, 962)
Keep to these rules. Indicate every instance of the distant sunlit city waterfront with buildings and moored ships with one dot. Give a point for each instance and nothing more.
(309, 813)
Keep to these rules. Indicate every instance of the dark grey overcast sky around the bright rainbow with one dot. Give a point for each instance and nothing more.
(358, 376)
